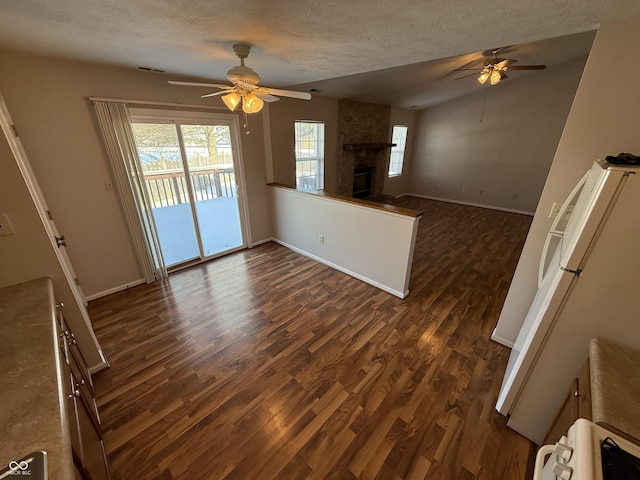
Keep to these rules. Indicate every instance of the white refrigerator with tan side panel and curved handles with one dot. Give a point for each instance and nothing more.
(589, 286)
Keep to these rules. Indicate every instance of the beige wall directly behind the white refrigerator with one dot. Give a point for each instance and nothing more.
(603, 121)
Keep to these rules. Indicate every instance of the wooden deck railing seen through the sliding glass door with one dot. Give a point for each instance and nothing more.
(168, 187)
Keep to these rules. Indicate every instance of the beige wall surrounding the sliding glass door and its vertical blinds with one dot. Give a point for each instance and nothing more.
(48, 99)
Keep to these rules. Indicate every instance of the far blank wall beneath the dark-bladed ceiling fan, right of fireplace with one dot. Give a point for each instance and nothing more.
(494, 148)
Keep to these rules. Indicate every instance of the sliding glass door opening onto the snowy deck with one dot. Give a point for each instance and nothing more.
(190, 166)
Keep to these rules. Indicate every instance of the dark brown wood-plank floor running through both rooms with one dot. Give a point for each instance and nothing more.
(267, 365)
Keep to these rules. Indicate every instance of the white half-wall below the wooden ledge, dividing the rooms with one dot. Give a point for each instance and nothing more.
(373, 245)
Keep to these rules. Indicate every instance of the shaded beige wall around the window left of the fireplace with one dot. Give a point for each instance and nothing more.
(283, 115)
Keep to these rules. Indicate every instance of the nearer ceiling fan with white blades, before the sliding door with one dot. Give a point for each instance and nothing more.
(245, 90)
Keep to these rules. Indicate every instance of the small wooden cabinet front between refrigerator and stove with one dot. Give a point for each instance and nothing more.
(577, 405)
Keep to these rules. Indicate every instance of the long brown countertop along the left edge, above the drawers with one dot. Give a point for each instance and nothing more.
(33, 415)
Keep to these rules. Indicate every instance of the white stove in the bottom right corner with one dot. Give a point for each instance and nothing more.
(588, 452)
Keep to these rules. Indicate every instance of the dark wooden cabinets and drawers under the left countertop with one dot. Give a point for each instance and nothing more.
(87, 443)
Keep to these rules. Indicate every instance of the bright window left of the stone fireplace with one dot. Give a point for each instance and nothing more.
(309, 150)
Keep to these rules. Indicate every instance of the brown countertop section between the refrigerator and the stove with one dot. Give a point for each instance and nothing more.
(615, 387)
